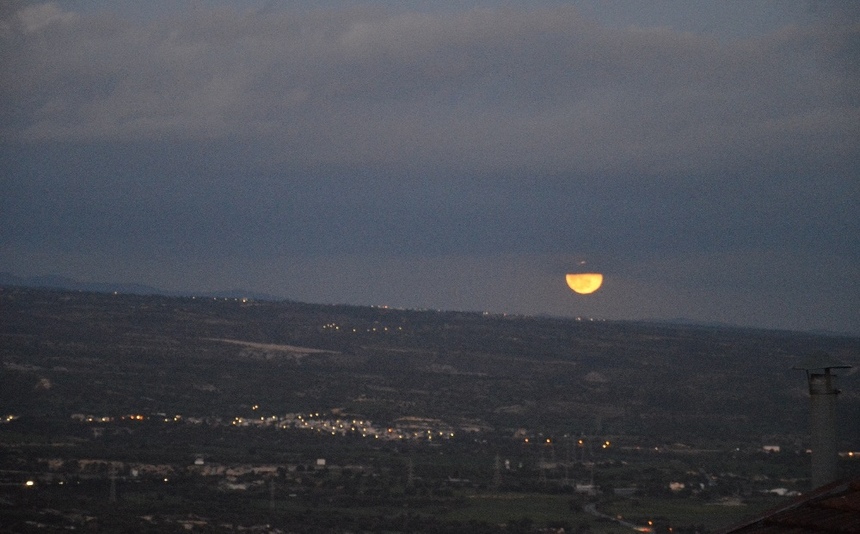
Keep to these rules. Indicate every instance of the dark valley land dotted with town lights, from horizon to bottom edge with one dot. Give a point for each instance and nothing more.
(147, 413)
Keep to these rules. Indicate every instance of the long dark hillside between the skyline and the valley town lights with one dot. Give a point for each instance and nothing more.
(128, 353)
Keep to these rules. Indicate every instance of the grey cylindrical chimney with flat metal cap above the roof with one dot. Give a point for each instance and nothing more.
(822, 414)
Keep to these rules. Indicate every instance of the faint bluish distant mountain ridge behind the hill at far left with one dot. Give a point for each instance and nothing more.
(52, 281)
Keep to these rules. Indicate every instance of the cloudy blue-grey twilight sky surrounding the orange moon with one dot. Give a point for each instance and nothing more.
(705, 156)
